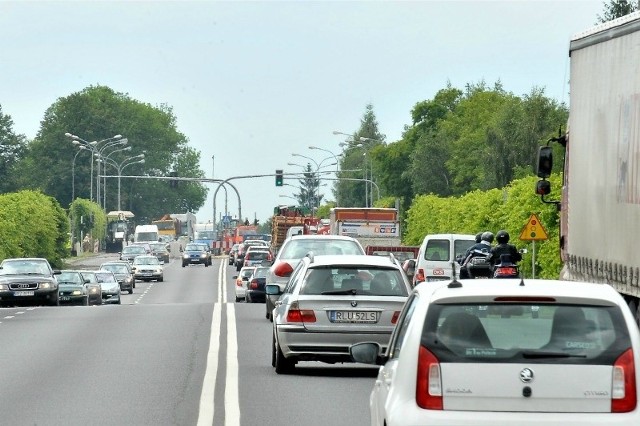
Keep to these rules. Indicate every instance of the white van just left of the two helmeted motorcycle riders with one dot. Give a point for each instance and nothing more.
(436, 254)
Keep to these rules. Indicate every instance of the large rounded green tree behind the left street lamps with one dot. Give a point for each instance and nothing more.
(99, 112)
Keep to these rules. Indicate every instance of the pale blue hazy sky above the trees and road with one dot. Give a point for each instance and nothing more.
(252, 83)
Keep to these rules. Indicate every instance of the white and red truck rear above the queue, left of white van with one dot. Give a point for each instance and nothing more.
(371, 226)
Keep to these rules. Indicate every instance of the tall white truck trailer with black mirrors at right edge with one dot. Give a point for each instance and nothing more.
(600, 202)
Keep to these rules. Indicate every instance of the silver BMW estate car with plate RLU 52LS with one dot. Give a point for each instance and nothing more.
(332, 302)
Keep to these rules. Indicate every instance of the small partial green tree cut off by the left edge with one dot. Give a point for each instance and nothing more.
(12, 149)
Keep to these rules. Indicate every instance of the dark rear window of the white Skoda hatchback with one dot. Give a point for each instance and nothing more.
(526, 333)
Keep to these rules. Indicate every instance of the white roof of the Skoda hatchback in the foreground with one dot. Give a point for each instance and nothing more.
(560, 291)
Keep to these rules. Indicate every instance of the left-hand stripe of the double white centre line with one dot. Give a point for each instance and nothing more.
(207, 406)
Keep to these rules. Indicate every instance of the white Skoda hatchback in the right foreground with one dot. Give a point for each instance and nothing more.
(508, 352)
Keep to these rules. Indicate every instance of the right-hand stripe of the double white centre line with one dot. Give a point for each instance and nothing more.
(231, 389)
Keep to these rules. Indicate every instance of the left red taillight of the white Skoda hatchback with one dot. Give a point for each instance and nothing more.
(428, 383)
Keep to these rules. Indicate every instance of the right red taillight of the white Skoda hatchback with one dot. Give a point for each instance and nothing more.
(623, 384)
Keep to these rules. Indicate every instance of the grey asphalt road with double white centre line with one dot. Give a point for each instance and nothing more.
(179, 352)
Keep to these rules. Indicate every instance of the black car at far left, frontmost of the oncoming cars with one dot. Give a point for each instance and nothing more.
(28, 281)
